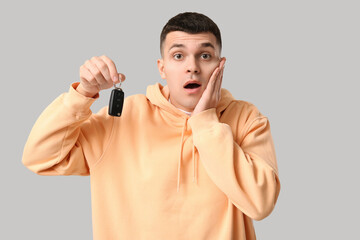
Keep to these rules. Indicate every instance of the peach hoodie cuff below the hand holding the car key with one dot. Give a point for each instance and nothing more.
(78, 102)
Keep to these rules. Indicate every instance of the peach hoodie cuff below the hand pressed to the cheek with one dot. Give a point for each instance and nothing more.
(204, 120)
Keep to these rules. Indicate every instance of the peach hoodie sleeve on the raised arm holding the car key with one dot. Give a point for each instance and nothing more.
(67, 138)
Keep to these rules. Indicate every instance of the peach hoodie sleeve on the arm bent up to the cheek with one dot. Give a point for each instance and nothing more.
(245, 171)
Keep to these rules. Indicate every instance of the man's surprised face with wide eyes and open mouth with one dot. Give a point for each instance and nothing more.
(187, 63)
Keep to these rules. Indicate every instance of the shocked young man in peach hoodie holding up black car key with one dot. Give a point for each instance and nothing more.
(186, 161)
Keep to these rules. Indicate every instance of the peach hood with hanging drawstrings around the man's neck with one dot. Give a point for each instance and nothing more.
(158, 95)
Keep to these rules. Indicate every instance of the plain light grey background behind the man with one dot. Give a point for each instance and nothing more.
(297, 61)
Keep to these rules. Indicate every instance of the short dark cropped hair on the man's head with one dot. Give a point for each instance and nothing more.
(190, 22)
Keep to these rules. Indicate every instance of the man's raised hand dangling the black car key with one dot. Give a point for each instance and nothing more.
(97, 74)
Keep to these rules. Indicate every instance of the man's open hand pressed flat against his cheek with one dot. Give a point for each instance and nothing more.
(212, 94)
